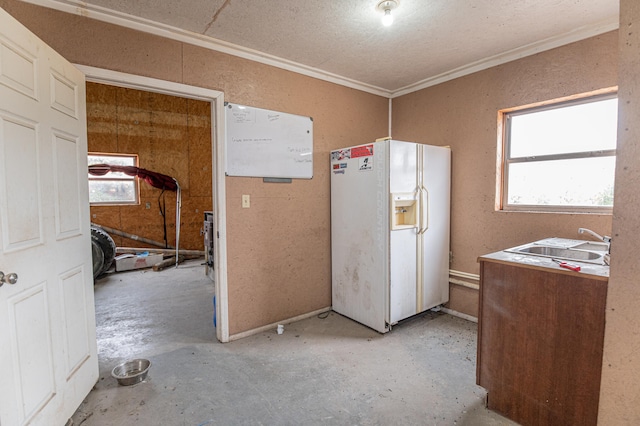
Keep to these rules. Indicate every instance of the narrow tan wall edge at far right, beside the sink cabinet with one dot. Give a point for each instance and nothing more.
(620, 385)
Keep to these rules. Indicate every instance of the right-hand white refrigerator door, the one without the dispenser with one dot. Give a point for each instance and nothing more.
(436, 190)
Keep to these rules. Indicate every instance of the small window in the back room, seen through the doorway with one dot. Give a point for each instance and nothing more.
(113, 188)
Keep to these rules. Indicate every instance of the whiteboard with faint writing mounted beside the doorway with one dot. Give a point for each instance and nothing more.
(264, 143)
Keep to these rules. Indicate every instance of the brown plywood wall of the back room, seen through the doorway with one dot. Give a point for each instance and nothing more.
(171, 136)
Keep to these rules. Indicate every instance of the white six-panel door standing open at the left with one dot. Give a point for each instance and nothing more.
(47, 322)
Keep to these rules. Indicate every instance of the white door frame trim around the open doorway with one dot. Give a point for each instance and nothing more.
(216, 98)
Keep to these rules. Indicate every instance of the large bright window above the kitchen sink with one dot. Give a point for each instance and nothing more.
(561, 156)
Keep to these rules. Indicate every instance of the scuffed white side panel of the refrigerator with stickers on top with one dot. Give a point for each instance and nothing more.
(359, 234)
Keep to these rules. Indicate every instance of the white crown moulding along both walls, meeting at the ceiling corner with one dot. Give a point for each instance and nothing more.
(77, 7)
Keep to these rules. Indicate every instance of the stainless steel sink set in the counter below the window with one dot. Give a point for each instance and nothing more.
(569, 250)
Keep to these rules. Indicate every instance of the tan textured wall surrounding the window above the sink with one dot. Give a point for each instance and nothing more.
(462, 113)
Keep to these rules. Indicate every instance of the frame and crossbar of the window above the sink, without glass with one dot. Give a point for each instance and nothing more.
(504, 159)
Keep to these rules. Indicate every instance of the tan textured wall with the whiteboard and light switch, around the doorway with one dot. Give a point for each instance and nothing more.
(279, 262)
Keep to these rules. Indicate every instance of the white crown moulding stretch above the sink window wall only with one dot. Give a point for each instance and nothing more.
(511, 55)
